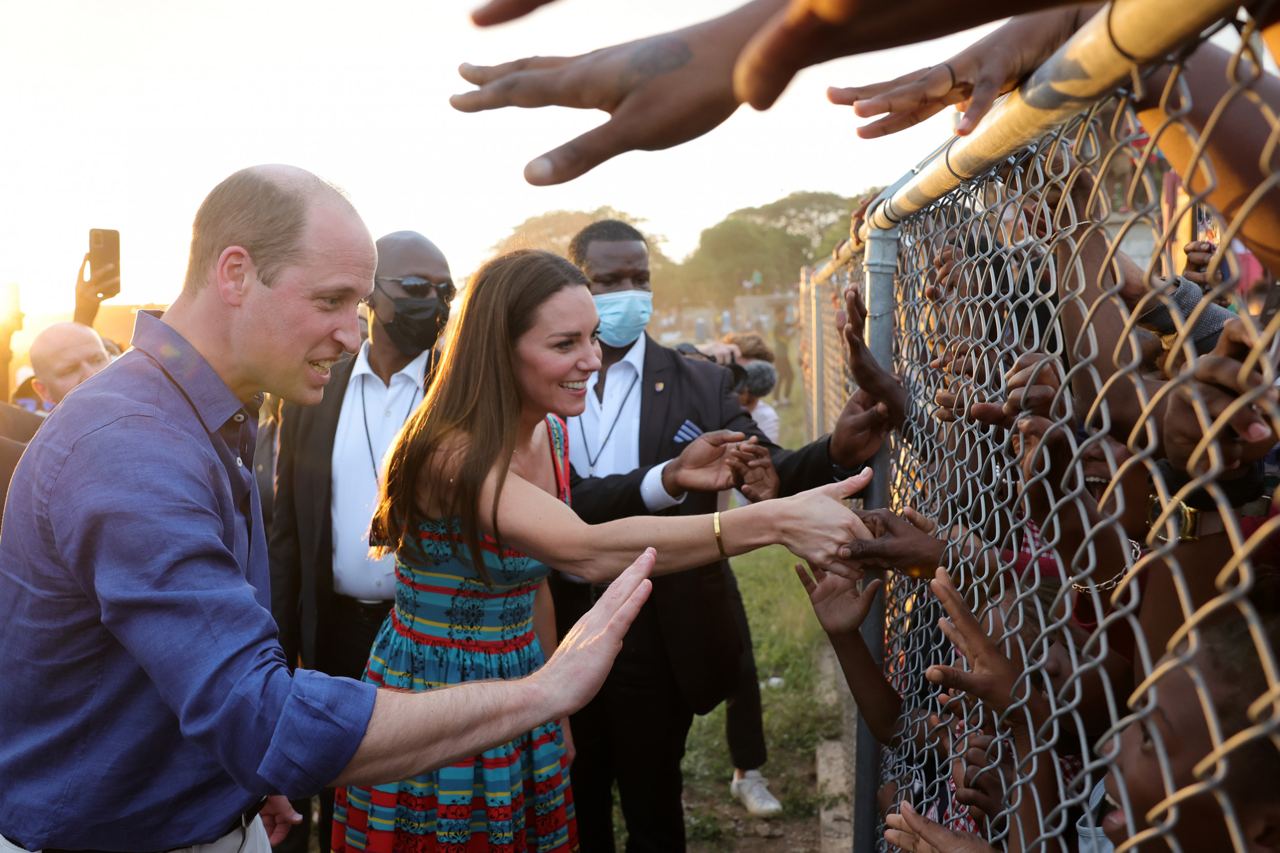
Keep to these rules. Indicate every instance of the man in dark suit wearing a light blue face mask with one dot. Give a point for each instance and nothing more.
(682, 655)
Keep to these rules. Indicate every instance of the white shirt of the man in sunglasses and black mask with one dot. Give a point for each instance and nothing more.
(371, 418)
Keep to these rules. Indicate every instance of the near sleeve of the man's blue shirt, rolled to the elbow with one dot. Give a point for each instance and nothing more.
(140, 528)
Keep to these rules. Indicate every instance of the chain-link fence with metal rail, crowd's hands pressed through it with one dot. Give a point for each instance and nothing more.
(1087, 334)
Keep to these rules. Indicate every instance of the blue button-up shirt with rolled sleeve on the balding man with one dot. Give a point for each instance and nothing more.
(147, 700)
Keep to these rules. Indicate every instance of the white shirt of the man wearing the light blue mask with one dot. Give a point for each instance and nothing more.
(606, 439)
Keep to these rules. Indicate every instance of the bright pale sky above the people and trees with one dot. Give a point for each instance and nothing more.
(125, 113)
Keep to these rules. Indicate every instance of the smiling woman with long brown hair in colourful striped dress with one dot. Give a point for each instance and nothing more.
(476, 507)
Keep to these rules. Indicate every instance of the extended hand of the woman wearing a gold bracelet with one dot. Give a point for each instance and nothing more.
(817, 527)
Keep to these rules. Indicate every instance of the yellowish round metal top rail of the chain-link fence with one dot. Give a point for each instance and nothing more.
(1085, 70)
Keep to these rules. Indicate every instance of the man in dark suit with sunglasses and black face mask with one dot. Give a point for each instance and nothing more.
(328, 596)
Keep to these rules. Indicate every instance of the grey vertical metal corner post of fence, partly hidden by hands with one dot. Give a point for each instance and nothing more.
(880, 266)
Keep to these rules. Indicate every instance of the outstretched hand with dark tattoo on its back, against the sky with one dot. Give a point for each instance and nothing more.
(659, 92)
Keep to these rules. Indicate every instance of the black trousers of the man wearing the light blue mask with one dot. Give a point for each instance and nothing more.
(633, 735)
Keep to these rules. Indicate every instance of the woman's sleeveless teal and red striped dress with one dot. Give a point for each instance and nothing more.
(449, 627)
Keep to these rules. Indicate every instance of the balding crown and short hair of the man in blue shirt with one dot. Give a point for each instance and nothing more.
(264, 211)
